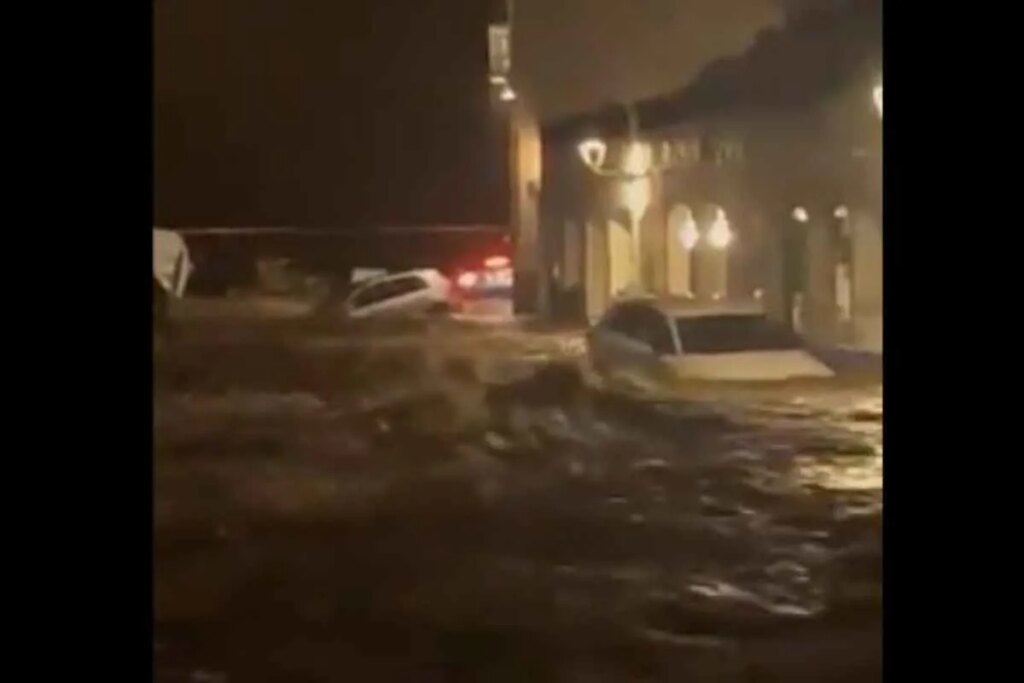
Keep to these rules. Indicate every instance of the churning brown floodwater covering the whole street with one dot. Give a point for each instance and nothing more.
(436, 506)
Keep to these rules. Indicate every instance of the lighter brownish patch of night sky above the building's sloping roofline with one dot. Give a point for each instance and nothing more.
(577, 55)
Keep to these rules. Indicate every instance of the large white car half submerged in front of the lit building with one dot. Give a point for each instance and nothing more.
(673, 339)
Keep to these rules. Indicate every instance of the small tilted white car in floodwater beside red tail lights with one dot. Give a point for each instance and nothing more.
(401, 294)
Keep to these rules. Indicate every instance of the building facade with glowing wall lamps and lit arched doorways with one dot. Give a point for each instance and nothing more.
(761, 180)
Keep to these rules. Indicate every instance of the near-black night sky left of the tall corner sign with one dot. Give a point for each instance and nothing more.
(321, 113)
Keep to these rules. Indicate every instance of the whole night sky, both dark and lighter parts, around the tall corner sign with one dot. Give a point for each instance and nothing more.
(364, 113)
